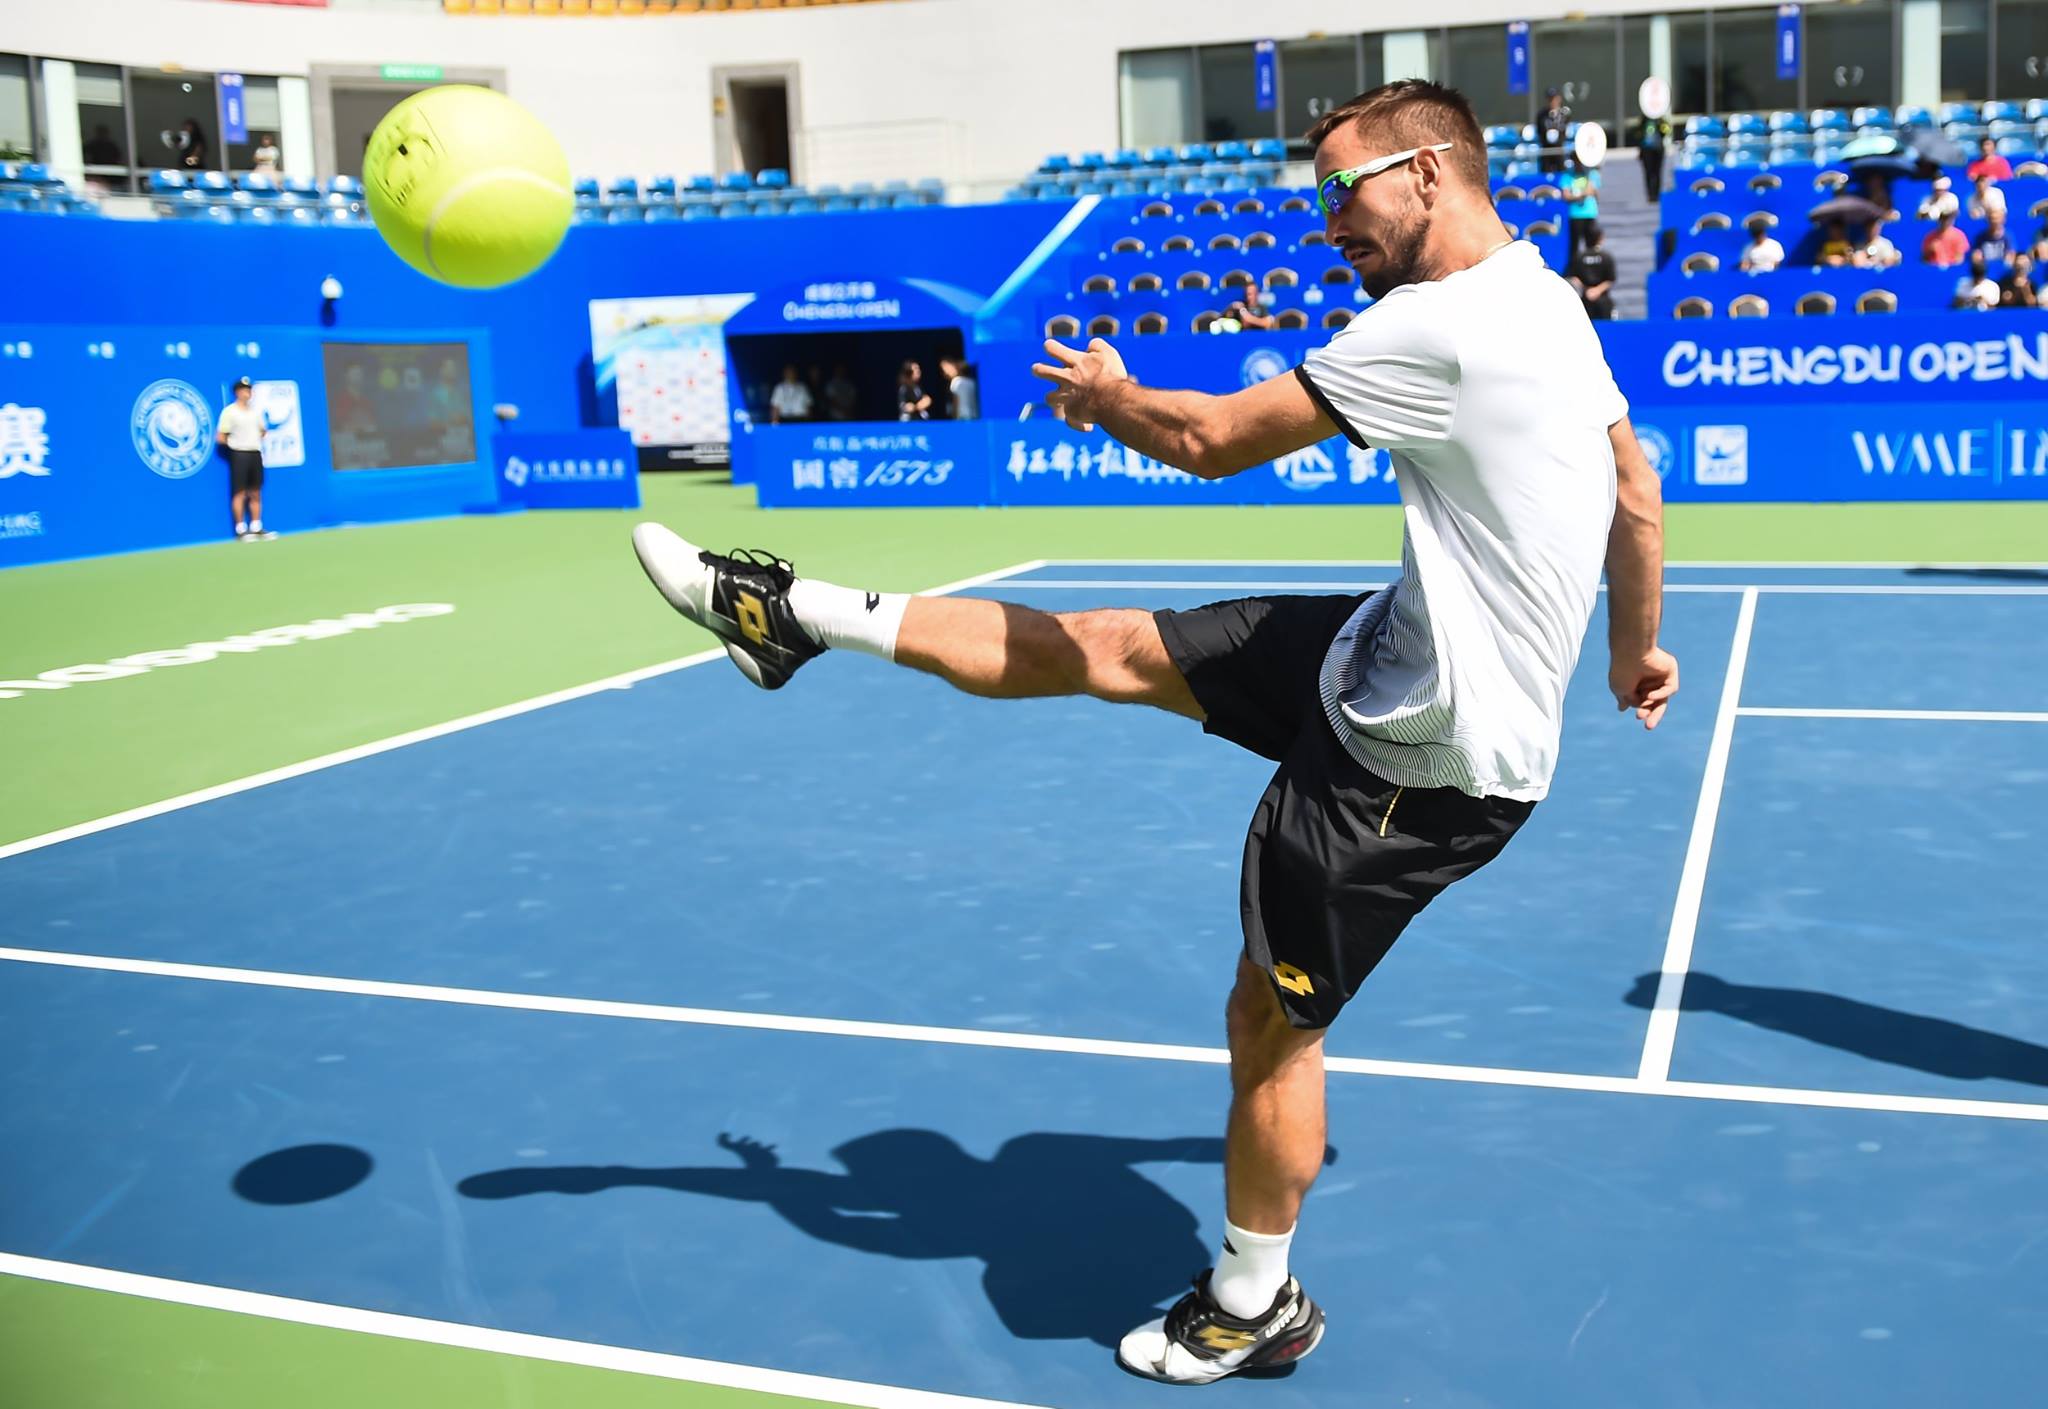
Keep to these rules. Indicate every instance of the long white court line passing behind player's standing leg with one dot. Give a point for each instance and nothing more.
(1015, 1041)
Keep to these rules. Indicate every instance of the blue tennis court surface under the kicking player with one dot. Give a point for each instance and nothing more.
(828, 1031)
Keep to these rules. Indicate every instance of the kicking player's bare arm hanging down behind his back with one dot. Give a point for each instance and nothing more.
(1641, 675)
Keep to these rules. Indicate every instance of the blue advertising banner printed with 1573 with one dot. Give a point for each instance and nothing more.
(867, 464)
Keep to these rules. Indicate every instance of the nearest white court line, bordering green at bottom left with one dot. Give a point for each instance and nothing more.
(493, 1340)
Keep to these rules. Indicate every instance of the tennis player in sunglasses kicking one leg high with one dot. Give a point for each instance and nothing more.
(1414, 728)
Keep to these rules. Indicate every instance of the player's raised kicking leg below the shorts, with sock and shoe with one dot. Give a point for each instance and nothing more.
(773, 622)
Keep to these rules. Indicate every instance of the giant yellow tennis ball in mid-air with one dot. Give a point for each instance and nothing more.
(468, 187)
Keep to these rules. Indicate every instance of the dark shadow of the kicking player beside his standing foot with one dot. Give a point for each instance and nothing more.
(1076, 1242)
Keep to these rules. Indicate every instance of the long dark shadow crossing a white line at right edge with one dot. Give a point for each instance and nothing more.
(1934, 1045)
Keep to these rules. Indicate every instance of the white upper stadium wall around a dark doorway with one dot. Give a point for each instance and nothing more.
(1009, 79)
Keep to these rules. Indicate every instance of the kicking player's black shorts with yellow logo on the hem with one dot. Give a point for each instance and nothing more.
(1338, 859)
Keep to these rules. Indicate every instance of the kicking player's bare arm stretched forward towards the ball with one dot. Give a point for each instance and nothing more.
(1207, 435)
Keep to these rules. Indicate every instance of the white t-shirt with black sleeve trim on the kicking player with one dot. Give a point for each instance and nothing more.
(1494, 400)
